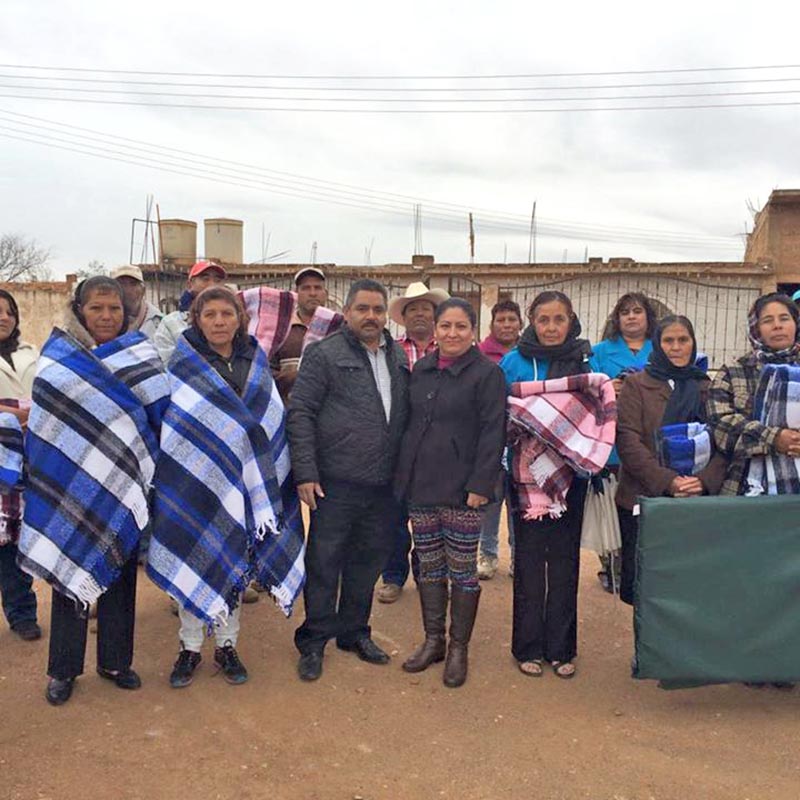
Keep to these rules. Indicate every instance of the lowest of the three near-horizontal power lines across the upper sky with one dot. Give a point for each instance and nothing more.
(305, 110)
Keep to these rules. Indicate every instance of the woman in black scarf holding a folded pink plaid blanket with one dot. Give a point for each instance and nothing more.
(546, 372)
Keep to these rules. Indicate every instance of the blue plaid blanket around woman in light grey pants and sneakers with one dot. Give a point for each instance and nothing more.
(226, 509)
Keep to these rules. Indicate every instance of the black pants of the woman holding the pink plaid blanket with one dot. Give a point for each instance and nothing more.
(546, 566)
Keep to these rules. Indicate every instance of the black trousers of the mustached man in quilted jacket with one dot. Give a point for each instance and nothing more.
(351, 535)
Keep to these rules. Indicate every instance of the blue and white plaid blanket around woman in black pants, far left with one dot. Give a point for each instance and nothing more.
(91, 447)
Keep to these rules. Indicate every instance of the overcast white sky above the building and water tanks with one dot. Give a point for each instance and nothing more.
(681, 178)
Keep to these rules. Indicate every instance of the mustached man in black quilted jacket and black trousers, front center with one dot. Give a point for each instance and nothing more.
(347, 414)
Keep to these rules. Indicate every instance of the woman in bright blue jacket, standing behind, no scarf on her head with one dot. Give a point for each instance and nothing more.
(624, 349)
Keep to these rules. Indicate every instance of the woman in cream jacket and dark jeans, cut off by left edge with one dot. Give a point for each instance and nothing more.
(17, 370)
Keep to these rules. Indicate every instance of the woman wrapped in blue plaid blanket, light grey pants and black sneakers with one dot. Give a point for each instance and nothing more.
(225, 509)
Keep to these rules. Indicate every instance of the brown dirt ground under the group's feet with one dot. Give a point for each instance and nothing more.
(376, 733)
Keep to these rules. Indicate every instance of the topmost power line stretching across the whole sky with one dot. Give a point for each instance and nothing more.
(270, 76)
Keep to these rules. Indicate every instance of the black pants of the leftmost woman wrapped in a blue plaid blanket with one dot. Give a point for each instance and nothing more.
(116, 610)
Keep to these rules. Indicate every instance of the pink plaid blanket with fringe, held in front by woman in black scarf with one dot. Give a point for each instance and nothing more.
(557, 428)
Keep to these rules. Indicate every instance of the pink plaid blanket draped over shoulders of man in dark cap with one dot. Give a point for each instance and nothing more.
(270, 311)
